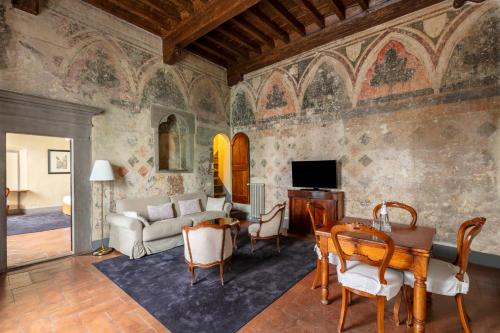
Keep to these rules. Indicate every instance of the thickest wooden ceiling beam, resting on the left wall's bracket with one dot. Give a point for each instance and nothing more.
(206, 19)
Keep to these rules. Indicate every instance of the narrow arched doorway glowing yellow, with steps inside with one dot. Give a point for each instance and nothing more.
(222, 166)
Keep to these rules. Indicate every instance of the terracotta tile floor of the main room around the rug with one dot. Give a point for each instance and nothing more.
(70, 295)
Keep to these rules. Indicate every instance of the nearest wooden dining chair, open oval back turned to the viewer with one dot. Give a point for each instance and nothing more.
(359, 274)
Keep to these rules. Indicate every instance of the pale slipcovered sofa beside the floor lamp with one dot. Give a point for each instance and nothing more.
(133, 238)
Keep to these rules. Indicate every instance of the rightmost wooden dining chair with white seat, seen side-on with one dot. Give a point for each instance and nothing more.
(448, 279)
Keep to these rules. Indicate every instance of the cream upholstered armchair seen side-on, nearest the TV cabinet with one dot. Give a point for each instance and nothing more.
(269, 226)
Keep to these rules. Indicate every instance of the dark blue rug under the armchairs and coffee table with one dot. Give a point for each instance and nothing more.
(161, 284)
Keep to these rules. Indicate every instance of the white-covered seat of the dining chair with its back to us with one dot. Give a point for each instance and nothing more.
(364, 277)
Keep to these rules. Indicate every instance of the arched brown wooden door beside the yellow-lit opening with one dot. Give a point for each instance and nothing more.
(240, 167)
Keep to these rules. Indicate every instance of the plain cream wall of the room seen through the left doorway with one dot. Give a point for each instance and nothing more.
(44, 190)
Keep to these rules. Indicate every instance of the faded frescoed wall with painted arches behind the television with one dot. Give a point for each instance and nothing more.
(410, 109)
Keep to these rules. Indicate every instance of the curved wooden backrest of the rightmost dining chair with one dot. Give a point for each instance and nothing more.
(466, 233)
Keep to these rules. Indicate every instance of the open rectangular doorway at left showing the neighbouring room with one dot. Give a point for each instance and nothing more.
(39, 200)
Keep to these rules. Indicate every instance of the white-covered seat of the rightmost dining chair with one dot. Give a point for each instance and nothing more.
(441, 279)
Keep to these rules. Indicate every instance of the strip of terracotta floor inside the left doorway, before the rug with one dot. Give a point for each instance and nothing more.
(38, 246)
